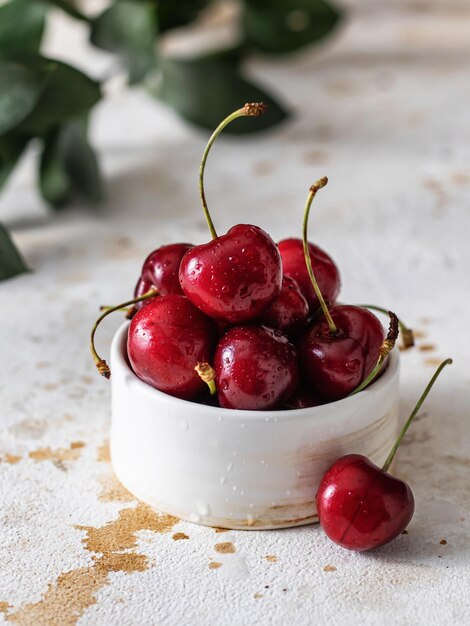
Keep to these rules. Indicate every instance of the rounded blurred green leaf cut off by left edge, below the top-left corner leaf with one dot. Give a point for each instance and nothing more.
(20, 89)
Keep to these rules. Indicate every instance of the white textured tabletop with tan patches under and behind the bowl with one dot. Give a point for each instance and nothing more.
(383, 110)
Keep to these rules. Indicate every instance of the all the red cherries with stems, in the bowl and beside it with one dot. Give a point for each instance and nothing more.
(244, 323)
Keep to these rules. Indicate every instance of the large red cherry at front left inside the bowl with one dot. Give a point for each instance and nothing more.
(166, 339)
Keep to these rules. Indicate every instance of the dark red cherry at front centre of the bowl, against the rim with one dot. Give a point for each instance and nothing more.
(255, 368)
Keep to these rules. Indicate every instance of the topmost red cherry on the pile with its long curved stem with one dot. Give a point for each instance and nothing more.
(235, 277)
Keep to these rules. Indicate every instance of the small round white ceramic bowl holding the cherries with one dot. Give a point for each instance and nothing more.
(239, 469)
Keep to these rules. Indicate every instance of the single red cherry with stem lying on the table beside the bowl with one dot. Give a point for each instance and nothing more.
(360, 505)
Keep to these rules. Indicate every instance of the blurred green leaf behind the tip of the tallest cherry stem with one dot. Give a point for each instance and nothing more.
(207, 89)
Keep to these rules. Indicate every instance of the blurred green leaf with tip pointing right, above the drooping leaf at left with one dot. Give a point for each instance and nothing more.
(67, 93)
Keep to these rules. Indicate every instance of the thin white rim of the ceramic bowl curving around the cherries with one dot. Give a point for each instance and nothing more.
(319, 412)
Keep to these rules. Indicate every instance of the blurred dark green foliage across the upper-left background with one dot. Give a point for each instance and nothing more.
(49, 101)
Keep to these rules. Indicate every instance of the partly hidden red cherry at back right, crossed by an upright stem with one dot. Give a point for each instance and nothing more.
(326, 272)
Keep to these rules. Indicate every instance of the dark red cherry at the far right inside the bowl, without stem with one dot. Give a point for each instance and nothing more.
(333, 365)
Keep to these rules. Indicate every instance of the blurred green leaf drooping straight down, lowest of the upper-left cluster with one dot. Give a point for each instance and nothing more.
(68, 166)
